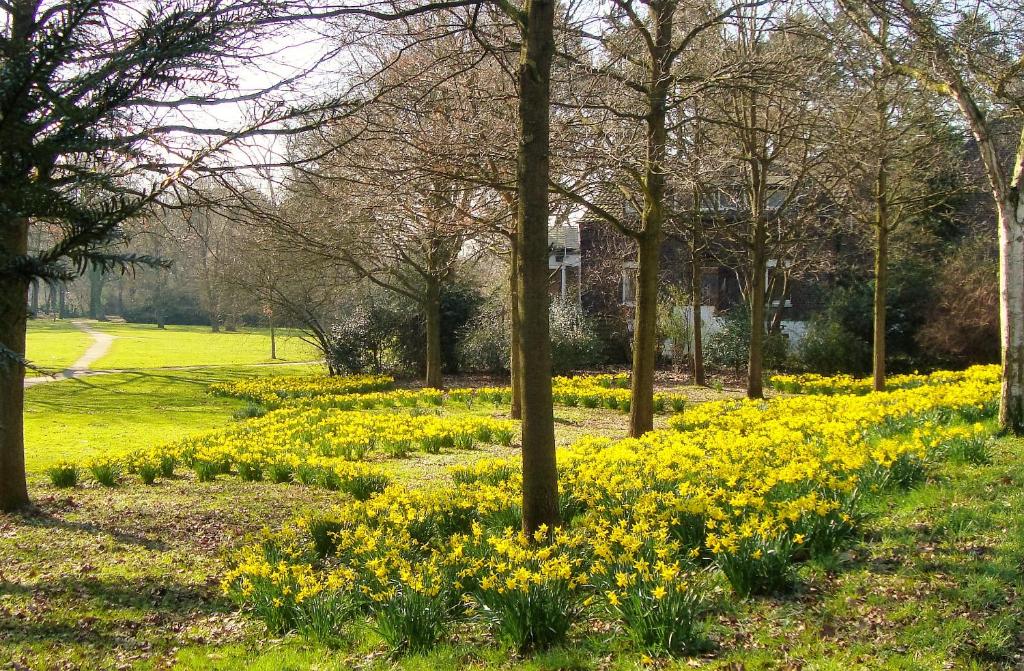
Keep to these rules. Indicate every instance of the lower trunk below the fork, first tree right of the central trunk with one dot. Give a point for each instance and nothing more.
(646, 335)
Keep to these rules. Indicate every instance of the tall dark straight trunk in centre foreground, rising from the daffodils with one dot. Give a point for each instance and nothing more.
(540, 475)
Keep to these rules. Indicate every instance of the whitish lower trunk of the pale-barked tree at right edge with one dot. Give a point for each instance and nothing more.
(1011, 222)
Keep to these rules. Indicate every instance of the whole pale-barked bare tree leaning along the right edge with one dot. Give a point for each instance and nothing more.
(973, 58)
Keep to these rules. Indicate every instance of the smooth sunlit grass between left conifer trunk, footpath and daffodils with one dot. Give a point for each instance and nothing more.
(81, 418)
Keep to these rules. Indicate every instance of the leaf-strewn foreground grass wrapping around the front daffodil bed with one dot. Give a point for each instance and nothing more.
(125, 578)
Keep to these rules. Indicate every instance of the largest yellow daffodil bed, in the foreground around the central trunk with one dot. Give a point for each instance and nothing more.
(737, 493)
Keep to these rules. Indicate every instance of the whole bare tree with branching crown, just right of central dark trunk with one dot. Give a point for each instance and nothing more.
(643, 67)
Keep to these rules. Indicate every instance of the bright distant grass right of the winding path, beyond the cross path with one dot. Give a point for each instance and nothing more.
(144, 346)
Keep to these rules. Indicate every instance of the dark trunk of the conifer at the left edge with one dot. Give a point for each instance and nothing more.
(14, 297)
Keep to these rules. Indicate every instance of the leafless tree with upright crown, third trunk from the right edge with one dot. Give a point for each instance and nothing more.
(773, 123)
